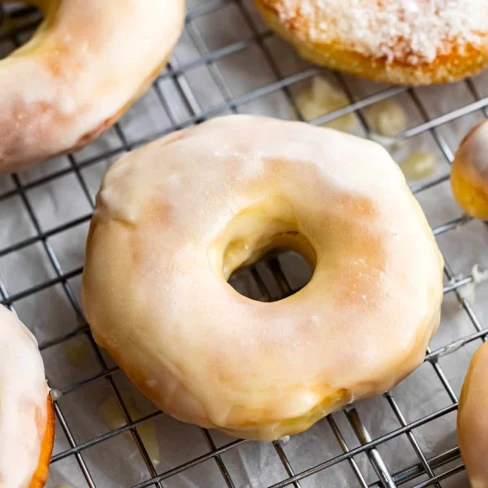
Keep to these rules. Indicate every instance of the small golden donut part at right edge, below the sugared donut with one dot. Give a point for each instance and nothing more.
(469, 172)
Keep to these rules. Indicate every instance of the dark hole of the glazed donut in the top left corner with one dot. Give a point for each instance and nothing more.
(18, 21)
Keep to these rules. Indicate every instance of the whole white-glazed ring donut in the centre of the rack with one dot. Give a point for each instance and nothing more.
(176, 218)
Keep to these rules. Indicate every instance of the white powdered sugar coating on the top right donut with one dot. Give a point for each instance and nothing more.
(410, 31)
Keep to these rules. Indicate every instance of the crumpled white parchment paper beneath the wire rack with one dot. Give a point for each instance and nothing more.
(117, 462)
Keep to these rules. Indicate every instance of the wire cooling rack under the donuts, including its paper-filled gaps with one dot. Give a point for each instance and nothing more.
(229, 62)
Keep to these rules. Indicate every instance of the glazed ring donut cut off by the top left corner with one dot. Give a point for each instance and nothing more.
(86, 64)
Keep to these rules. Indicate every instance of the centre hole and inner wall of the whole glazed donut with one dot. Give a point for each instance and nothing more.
(267, 232)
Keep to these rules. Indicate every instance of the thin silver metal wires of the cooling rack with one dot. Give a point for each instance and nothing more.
(427, 470)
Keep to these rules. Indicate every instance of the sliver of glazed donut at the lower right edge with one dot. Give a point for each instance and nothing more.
(473, 419)
